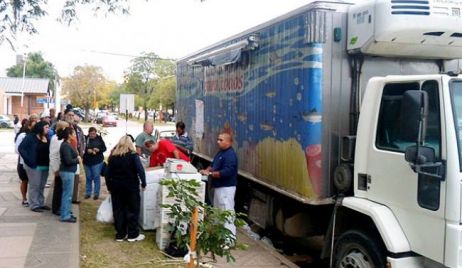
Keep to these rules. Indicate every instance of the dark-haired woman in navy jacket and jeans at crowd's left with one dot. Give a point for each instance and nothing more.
(34, 150)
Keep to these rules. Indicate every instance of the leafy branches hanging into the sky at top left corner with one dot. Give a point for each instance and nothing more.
(19, 15)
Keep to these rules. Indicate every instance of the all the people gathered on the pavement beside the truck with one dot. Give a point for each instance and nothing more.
(57, 147)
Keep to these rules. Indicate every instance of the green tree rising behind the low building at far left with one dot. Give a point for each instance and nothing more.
(36, 67)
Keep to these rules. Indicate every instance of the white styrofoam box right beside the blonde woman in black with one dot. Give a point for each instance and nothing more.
(149, 203)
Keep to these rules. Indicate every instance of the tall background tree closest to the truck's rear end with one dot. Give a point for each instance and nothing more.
(145, 74)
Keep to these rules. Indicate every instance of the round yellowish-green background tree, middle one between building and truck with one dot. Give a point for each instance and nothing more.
(86, 87)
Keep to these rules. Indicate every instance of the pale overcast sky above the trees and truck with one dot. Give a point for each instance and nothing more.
(170, 28)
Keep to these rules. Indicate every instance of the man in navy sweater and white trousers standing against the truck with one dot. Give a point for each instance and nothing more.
(223, 172)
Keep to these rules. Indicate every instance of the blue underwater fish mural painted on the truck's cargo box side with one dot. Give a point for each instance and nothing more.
(271, 100)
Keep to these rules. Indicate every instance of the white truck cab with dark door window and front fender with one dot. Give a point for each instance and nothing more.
(414, 202)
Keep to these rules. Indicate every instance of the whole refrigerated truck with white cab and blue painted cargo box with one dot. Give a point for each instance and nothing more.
(347, 123)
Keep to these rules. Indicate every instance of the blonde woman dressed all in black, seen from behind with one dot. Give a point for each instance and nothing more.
(123, 176)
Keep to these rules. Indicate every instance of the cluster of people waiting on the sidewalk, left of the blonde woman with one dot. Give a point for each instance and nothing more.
(48, 147)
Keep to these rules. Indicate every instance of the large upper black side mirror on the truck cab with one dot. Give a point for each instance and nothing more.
(414, 111)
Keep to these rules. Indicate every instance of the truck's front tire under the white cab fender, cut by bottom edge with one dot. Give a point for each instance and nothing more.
(355, 249)
